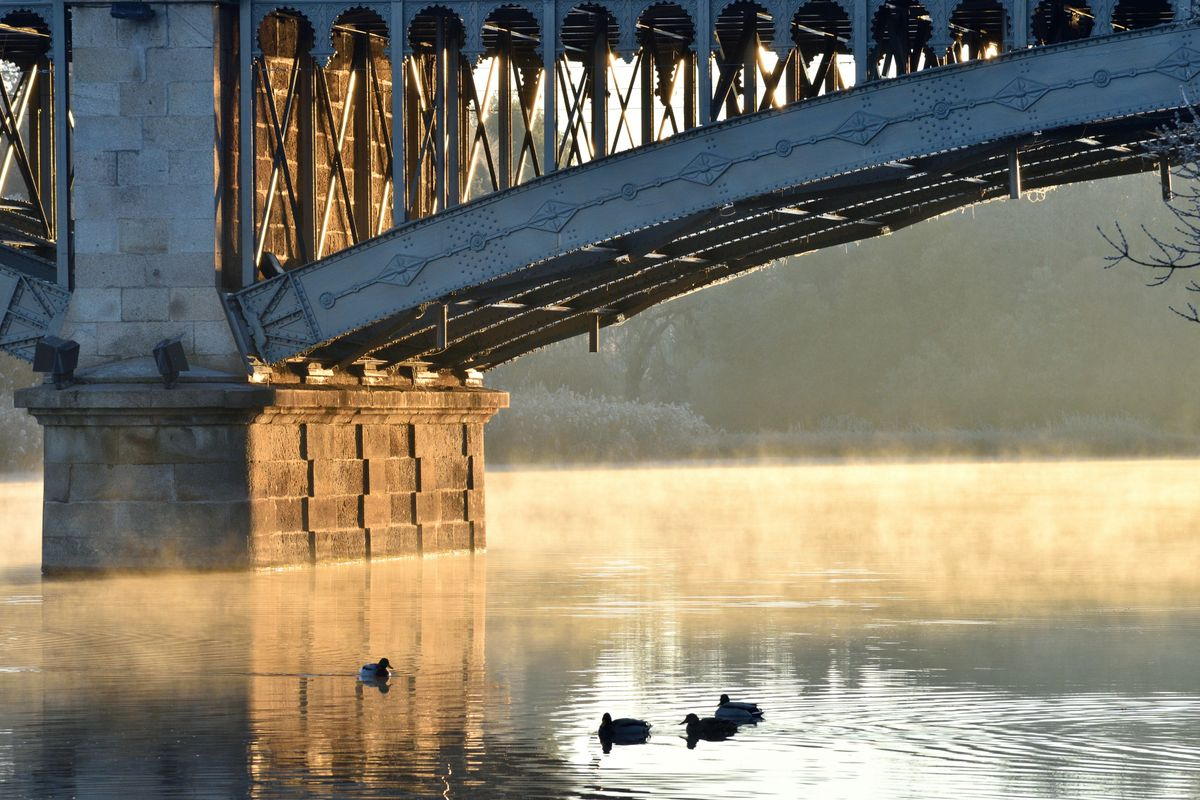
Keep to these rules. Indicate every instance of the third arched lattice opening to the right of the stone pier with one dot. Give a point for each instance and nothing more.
(435, 111)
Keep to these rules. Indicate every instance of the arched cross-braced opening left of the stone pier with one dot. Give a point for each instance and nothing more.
(27, 135)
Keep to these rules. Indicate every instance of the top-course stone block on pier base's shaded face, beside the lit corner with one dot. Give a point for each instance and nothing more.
(182, 444)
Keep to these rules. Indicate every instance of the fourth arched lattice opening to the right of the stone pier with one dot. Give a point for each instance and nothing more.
(506, 98)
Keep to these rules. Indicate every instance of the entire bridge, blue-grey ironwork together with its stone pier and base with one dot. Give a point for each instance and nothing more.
(298, 193)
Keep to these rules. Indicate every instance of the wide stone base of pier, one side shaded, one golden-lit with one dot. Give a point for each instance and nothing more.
(225, 474)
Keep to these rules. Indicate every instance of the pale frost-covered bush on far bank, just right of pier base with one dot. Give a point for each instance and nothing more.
(560, 425)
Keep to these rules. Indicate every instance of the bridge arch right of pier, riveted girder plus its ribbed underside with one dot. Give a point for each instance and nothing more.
(581, 249)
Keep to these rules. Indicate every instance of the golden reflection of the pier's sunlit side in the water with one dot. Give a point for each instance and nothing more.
(427, 616)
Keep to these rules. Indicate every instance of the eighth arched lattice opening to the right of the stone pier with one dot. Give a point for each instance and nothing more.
(823, 61)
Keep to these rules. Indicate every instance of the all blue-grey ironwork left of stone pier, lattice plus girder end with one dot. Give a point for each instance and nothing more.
(34, 254)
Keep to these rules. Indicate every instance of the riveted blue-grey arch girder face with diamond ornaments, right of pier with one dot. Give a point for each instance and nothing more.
(931, 112)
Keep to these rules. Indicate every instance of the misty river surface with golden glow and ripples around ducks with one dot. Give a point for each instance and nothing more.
(958, 630)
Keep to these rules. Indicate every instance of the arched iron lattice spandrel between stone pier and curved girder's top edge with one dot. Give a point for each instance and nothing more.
(357, 129)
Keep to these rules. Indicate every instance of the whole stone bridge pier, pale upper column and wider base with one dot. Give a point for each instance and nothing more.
(223, 471)
